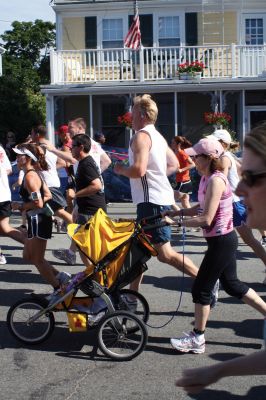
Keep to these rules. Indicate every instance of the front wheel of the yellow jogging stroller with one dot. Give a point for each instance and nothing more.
(29, 333)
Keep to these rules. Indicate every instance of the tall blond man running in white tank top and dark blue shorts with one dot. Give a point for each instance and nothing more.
(151, 161)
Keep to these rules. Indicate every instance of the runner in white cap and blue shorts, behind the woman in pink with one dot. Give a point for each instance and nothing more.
(231, 166)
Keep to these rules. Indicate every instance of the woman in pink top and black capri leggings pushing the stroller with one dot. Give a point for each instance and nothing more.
(214, 215)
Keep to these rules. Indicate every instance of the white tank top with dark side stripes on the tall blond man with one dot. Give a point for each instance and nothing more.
(154, 186)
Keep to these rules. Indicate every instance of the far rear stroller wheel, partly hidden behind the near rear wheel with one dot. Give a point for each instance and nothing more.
(132, 301)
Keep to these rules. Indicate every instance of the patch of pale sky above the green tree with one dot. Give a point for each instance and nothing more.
(24, 10)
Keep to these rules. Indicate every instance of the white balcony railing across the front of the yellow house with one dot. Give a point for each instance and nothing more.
(154, 63)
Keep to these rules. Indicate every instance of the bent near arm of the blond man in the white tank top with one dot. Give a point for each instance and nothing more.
(141, 147)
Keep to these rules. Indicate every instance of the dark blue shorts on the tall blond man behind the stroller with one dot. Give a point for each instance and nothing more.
(158, 235)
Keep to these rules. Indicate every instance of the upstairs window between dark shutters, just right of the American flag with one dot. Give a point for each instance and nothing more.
(169, 31)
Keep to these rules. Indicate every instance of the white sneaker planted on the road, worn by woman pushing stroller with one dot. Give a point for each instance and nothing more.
(190, 342)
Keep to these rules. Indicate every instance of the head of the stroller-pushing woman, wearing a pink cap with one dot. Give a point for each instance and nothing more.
(206, 154)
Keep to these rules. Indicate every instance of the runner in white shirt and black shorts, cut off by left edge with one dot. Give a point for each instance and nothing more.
(5, 204)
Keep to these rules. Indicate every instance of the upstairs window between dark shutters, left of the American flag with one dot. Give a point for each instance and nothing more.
(112, 33)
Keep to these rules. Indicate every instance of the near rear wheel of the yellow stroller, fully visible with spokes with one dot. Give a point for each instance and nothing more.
(115, 338)
